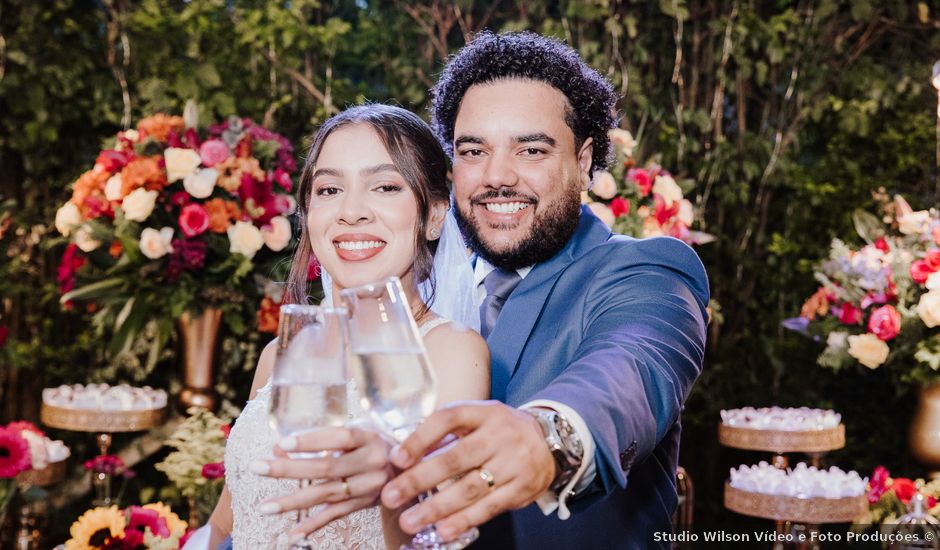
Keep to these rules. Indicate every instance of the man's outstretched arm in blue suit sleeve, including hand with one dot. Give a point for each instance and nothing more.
(642, 350)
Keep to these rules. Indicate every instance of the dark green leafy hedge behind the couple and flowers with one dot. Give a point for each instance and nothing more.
(787, 115)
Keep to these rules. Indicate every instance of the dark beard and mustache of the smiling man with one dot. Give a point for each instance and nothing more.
(548, 233)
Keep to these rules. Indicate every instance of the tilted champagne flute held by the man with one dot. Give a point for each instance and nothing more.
(391, 368)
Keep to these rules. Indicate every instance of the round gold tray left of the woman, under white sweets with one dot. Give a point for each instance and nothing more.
(88, 420)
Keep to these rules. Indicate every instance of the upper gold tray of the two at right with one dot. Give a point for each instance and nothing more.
(782, 441)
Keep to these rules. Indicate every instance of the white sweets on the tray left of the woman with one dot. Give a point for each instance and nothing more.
(103, 397)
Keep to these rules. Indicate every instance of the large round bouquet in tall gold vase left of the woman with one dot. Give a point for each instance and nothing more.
(171, 220)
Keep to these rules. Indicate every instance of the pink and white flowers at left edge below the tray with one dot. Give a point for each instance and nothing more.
(23, 446)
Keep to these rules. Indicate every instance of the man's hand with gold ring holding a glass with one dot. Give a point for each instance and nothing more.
(501, 456)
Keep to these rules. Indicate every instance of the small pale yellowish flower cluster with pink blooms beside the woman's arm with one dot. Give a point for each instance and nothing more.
(196, 466)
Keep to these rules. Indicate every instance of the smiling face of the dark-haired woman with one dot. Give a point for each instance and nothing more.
(363, 214)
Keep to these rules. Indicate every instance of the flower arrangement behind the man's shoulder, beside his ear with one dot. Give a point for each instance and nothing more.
(642, 201)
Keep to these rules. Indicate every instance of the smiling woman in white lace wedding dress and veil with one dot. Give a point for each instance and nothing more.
(373, 200)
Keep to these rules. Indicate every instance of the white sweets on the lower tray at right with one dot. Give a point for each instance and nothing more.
(802, 481)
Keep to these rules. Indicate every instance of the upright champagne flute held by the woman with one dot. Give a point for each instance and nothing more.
(309, 378)
